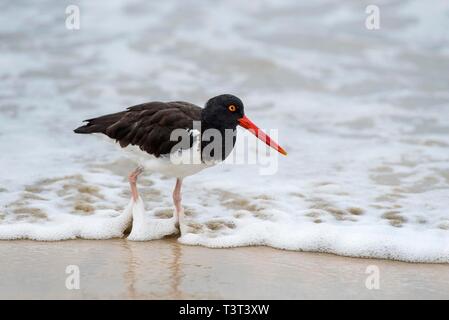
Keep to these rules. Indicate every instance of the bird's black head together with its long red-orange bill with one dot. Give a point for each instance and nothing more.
(227, 111)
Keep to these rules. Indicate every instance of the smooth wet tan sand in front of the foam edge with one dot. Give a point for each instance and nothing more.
(165, 269)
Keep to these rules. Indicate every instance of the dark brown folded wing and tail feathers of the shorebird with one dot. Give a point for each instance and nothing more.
(148, 125)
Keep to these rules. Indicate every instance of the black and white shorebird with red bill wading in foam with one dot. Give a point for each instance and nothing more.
(162, 135)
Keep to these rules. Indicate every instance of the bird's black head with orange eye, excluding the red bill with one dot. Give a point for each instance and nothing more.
(223, 112)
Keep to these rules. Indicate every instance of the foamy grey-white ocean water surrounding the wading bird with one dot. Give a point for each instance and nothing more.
(363, 114)
